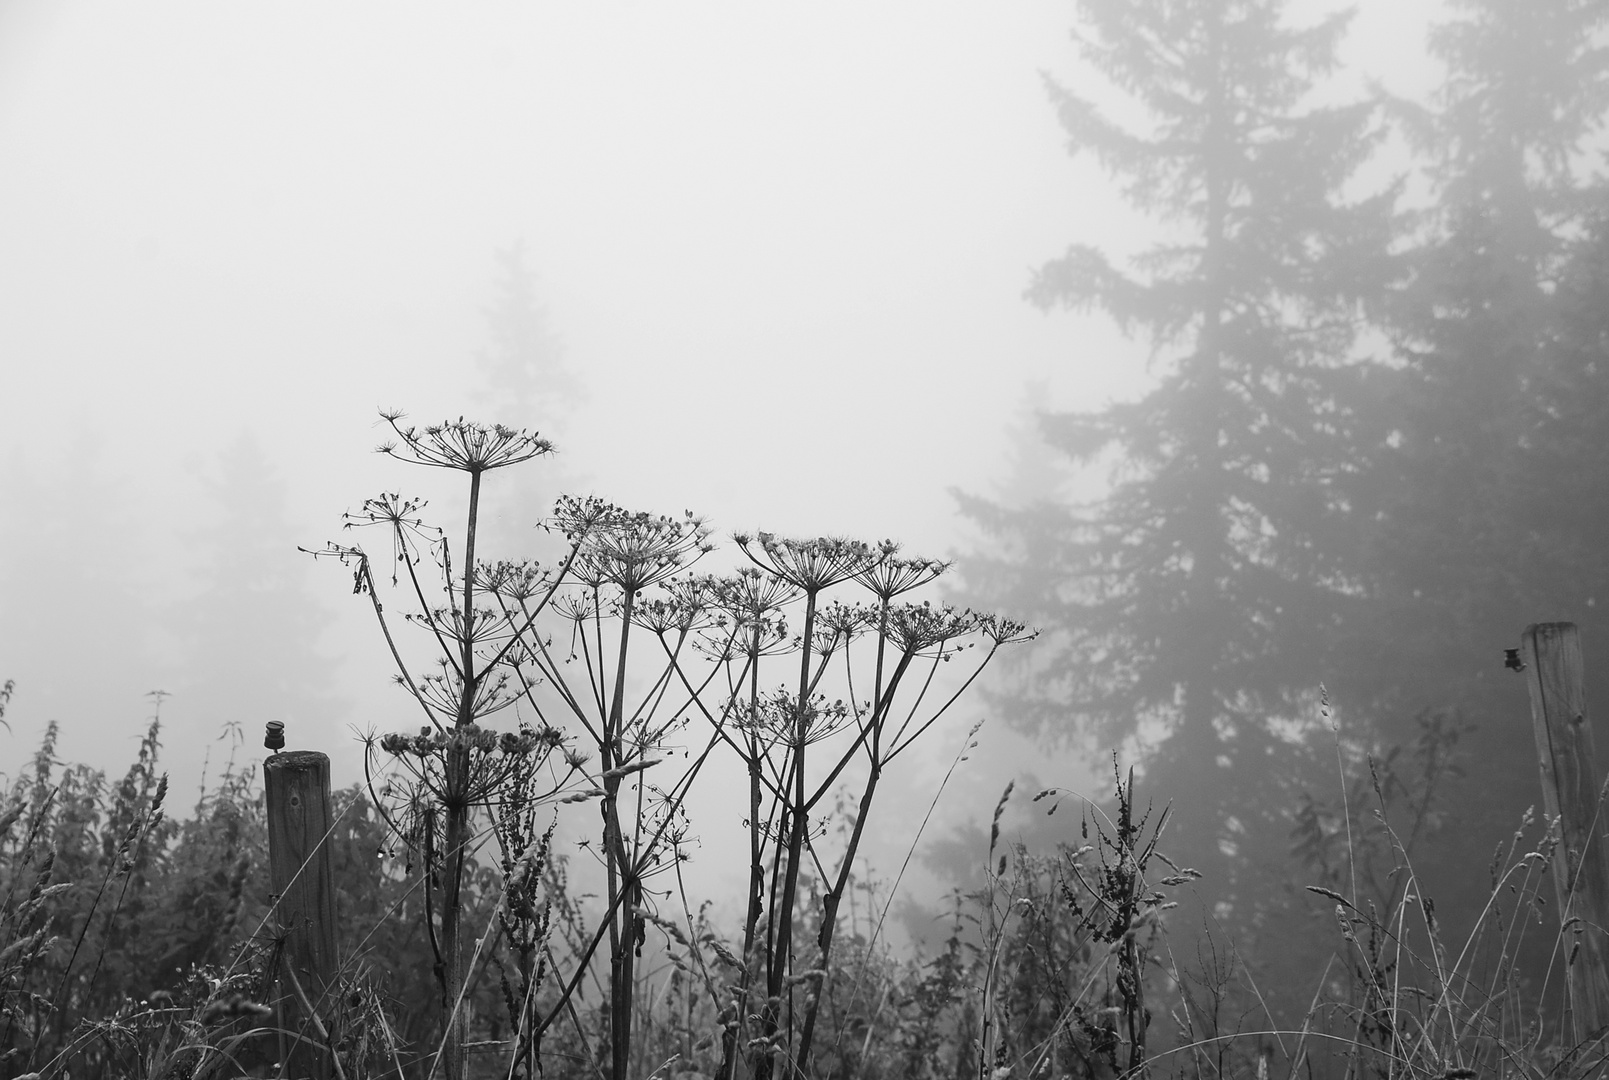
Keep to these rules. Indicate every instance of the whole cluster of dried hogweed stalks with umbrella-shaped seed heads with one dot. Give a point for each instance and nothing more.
(632, 674)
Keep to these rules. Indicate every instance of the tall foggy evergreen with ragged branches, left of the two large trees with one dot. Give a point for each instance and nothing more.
(1190, 606)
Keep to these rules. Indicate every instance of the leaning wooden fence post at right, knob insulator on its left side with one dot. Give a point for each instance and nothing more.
(1571, 793)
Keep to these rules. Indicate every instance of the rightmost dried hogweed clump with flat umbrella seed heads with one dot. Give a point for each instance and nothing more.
(799, 744)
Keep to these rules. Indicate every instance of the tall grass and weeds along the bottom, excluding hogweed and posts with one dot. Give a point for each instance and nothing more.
(134, 944)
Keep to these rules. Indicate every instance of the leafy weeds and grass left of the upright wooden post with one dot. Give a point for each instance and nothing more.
(115, 920)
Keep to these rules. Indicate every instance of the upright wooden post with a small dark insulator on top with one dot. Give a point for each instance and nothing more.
(298, 802)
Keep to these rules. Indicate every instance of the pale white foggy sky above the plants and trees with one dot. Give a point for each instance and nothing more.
(784, 245)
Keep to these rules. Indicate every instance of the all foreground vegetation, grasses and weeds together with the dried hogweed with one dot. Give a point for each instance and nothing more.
(596, 688)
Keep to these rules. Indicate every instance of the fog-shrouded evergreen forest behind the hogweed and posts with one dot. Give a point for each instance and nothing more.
(1362, 447)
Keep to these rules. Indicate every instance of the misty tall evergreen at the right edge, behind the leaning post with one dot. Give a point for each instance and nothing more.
(1470, 545)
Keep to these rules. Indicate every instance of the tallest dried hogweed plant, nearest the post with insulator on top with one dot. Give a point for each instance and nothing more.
(458, 769)
